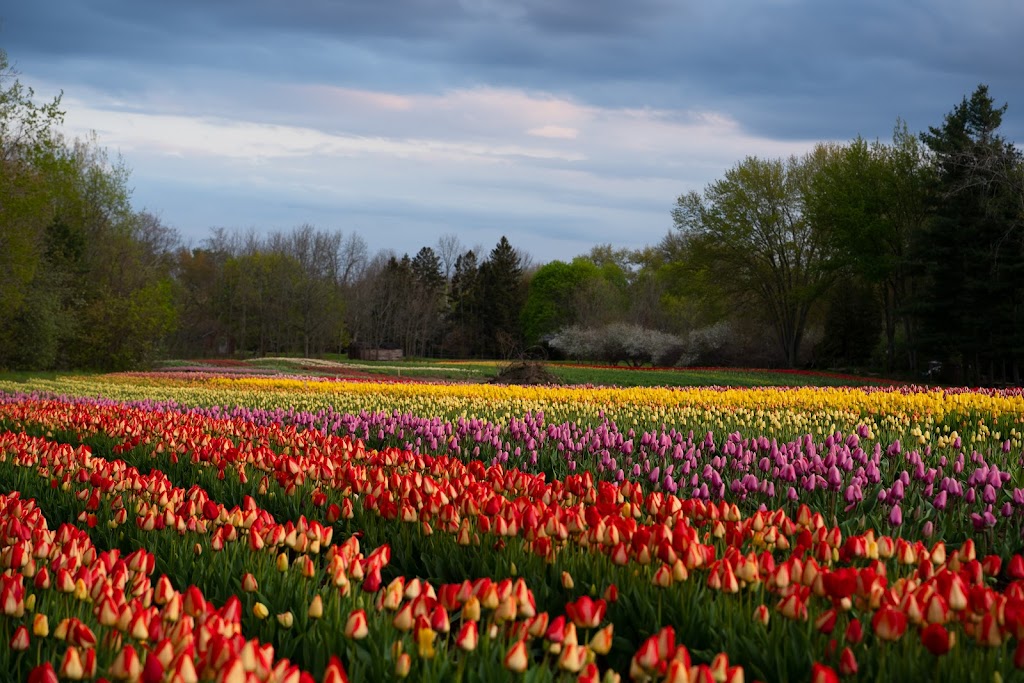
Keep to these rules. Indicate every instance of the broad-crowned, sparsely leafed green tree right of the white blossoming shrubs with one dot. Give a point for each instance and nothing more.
(752, 230)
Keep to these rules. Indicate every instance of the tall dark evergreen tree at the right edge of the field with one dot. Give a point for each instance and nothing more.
(972, 250)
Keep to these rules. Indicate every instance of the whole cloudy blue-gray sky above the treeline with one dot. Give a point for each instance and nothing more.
(562, 124)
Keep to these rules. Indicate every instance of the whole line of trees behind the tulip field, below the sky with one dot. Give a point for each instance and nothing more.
(891, 257)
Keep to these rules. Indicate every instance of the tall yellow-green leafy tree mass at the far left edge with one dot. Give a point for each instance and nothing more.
(81, 283)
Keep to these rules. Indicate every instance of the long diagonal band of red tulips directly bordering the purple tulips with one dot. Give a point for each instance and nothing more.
(635, 529)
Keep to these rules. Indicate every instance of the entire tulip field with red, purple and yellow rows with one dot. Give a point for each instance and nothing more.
(215, 527)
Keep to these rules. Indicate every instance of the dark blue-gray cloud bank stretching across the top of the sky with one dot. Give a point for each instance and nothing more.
(786, 68)
